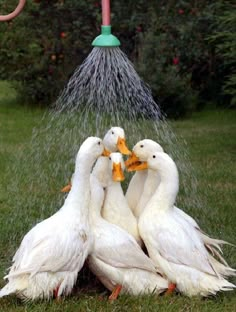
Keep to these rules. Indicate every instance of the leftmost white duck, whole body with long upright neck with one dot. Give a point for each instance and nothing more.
(52, 253)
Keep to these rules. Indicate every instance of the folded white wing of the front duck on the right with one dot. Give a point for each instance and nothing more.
(179, 242)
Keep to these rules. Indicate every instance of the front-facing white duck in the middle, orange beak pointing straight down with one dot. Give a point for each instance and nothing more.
(115, 208)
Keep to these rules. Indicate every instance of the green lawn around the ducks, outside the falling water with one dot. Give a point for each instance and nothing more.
(211, 142)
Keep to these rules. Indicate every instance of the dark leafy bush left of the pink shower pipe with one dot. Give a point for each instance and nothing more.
(41, 48)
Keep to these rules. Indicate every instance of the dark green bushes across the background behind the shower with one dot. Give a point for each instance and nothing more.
(185, 50)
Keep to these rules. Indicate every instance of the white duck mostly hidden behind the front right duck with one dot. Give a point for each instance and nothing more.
(141, 152)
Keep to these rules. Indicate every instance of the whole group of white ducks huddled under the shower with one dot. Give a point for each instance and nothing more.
(135, 243)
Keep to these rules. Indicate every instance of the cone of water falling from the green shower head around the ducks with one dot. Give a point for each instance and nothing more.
(104, 91)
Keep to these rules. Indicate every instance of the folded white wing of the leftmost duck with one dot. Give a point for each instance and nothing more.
(49, 246)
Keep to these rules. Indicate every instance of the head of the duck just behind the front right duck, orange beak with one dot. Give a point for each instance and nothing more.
(140, 154)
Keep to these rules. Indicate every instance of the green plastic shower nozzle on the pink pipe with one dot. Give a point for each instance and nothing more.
(106, 39)
